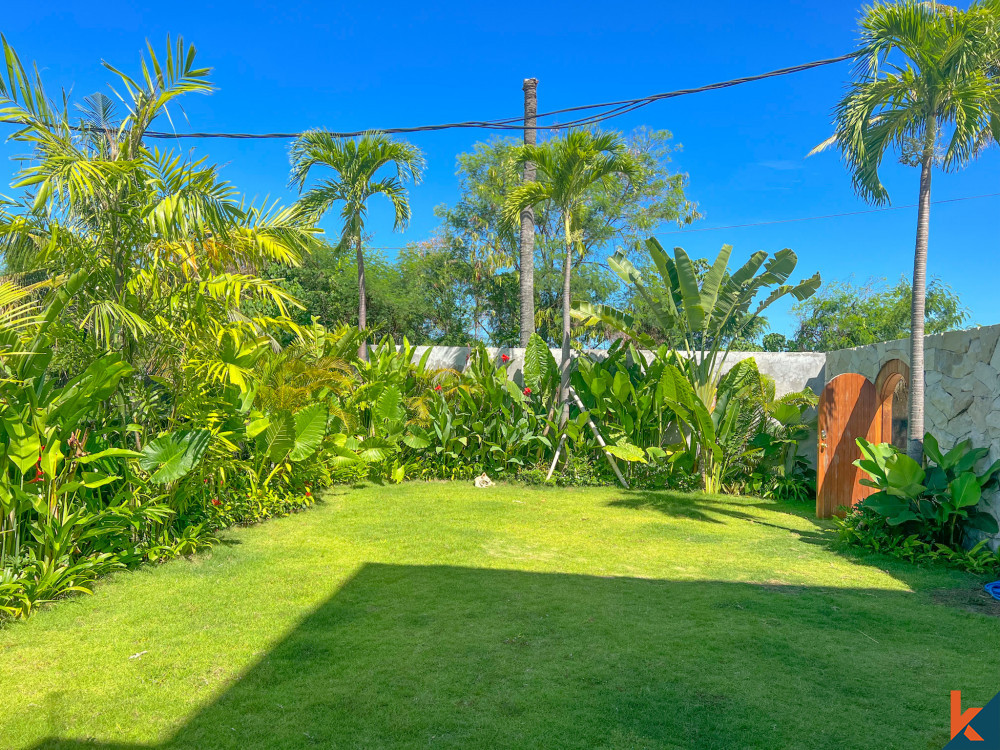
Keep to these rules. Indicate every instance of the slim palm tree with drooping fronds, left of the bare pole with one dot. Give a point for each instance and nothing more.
(356, 163)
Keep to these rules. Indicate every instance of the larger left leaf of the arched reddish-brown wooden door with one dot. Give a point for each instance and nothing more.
(848, 409)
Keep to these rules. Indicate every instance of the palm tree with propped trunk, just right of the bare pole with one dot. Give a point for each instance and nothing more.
(566, 169)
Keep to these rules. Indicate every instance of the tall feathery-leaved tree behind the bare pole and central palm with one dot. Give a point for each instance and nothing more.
(617, 215)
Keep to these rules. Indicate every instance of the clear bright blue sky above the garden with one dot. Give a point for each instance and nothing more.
(292, 65)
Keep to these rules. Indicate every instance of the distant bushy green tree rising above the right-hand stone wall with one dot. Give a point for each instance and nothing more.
(844, 315)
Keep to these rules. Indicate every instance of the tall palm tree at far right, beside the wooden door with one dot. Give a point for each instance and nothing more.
(936, 89)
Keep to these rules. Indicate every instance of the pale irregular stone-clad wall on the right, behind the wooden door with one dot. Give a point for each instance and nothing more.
(962, 399)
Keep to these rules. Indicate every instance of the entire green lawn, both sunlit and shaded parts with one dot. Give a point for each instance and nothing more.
(438, 615)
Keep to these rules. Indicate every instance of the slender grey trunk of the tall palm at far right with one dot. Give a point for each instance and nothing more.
(915, 445)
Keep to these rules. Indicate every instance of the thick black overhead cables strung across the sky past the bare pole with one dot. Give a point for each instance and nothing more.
(609, 110)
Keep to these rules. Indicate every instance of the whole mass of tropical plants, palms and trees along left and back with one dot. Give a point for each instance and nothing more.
(175, 360)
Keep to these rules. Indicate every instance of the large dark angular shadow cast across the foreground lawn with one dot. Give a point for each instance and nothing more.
(417, 656)
